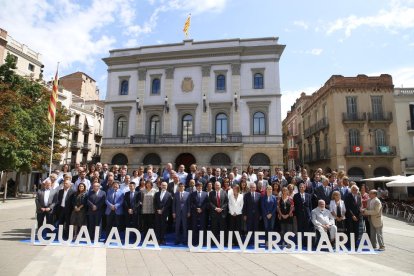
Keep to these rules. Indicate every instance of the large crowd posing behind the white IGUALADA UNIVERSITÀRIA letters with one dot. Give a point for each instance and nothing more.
(205, 198)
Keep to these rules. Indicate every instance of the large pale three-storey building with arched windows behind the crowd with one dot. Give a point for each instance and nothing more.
(210, 102)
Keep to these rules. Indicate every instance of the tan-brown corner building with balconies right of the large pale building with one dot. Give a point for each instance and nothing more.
(349, 124)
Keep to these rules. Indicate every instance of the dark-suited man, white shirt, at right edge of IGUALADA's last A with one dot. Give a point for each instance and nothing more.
(162, 206)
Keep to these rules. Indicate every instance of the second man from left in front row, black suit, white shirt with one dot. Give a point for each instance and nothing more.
(65, 206)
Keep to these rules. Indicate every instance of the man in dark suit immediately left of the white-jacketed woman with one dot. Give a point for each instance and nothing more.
(219, 203)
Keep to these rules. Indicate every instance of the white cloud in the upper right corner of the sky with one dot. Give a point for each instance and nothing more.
(399, 16)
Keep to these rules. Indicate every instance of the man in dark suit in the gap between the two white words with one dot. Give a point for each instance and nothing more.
(181, 212)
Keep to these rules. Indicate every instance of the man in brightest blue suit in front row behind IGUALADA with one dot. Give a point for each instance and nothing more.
(114, 207)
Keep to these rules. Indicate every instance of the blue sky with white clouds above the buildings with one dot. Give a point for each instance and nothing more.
(322, 37)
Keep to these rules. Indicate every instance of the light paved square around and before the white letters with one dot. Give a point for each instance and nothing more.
(17, 216)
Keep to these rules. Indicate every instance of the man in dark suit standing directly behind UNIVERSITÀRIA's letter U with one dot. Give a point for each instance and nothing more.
(199, 202)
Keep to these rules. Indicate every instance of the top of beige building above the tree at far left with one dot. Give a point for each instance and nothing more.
(28, 61)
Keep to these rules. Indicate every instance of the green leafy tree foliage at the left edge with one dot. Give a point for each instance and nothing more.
(25, 132)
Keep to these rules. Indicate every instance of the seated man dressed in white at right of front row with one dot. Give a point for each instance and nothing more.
(323, 220)
